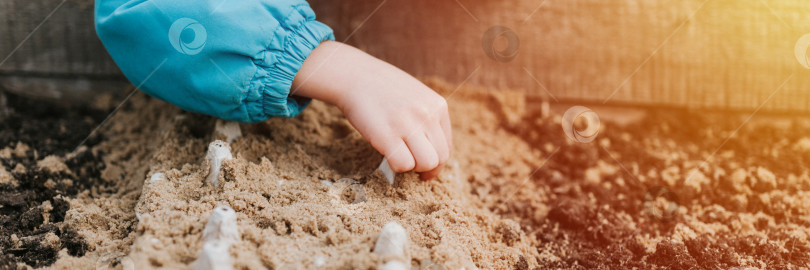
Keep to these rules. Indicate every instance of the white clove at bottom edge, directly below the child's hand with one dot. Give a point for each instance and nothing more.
(392, 245)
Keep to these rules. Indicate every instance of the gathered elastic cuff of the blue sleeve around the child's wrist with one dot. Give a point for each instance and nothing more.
(277, 78)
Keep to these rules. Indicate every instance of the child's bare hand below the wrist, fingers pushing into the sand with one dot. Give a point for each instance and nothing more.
(402, 118)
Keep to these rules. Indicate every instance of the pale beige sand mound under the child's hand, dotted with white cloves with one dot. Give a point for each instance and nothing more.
(305, 191)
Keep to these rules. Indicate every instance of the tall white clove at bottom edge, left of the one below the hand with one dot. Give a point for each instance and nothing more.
(219, 234)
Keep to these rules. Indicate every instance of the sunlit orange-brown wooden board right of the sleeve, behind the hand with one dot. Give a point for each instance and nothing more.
(724, 54)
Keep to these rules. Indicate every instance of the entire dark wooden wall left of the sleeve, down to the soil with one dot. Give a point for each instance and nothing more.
(56, 58)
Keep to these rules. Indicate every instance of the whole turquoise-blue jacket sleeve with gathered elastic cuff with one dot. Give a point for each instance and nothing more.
(230, 59)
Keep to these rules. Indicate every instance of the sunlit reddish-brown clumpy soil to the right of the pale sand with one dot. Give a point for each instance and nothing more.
(740, 201)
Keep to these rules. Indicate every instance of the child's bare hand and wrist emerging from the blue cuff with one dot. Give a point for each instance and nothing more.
(402, 118)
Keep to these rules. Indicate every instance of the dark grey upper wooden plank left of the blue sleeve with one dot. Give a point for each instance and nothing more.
(65, 45)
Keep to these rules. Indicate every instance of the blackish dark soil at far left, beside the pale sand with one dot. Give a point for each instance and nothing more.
(48, 129)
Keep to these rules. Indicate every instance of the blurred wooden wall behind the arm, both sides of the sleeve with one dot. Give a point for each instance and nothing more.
(717, 54)
